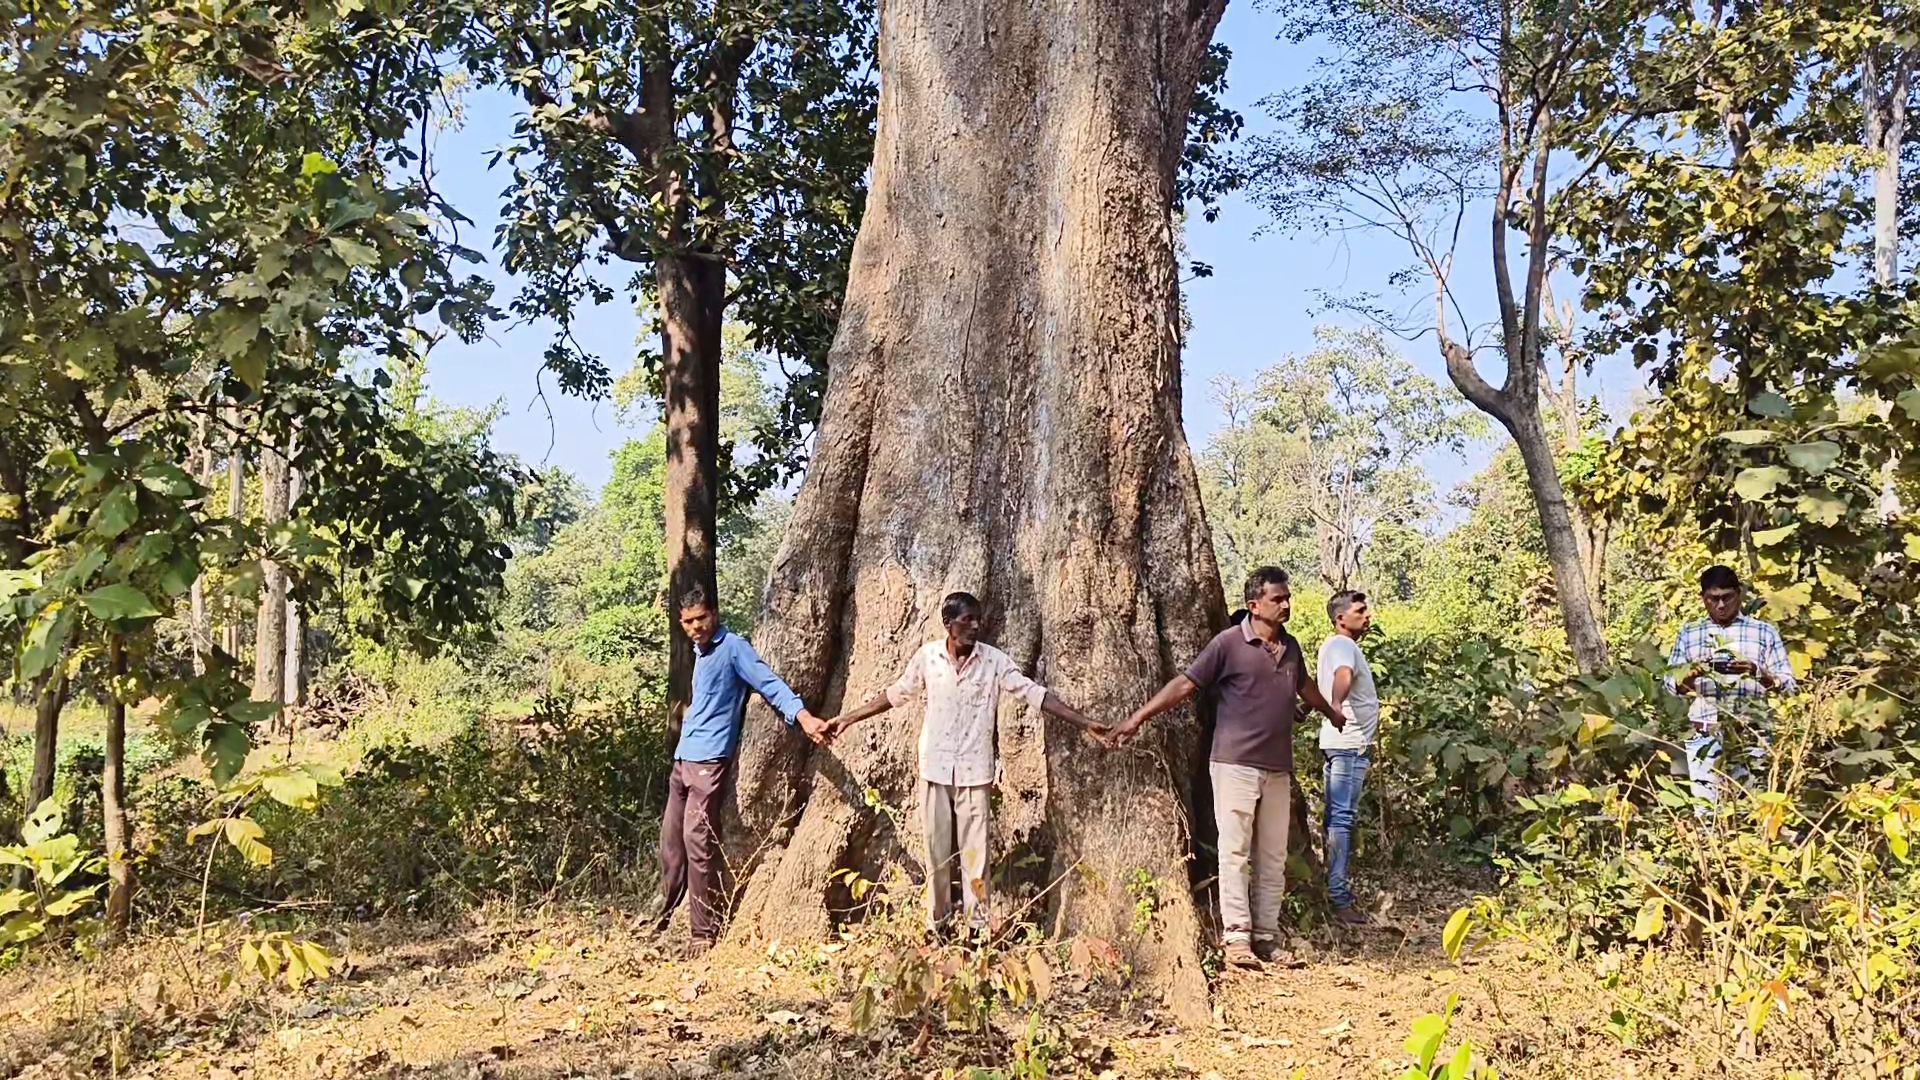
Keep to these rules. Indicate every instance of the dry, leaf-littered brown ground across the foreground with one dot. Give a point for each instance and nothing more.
(583, 993)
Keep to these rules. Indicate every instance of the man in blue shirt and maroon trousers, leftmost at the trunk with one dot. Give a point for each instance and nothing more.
(725, 672)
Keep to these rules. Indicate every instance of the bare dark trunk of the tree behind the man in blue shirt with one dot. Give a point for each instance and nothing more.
(692, 303)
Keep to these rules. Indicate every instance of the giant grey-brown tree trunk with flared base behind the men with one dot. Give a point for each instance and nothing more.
(1005, 416)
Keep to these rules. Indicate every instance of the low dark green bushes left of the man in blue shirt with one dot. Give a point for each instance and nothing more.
(500, 810)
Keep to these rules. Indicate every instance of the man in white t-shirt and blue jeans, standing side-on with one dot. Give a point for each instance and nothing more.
(1347, 683)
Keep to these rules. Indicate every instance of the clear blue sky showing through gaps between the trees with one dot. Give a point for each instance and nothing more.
(1259, 305)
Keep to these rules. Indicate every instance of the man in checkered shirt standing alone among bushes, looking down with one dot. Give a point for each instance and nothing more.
(1731, 664)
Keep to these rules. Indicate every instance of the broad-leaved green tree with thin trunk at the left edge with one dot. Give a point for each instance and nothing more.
(195, 189)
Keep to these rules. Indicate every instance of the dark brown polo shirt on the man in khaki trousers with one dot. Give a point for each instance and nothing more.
(1259, 697)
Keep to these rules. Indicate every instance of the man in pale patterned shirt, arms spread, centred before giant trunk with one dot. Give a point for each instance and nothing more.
(963, 681)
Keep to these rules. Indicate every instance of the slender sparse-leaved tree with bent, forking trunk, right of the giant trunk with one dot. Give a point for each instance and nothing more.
(1429, 112)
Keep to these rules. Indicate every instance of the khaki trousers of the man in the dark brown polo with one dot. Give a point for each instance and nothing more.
(1253, 810)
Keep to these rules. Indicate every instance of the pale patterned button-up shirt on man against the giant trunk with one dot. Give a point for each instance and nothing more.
(957, 743)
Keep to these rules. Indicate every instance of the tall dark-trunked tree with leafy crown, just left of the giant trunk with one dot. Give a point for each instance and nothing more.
(721, 151)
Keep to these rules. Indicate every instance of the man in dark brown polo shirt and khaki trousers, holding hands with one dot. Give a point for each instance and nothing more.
(1260, 677)
